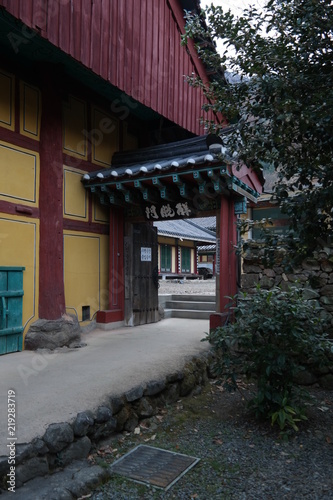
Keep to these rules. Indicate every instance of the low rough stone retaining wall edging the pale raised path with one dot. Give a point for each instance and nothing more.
(65, 442)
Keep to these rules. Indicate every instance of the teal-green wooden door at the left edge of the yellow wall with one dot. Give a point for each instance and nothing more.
(11, 300)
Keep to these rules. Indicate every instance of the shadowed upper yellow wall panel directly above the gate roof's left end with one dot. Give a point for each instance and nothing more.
(104, 137)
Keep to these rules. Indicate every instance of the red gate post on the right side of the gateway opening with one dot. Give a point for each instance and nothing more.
(228, 258)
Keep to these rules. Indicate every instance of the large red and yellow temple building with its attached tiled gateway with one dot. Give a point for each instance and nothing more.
(81, 84)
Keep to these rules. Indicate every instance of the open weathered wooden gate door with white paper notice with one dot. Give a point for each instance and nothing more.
(142, 276)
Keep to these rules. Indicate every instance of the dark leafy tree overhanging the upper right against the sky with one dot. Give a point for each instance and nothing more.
(282, 55)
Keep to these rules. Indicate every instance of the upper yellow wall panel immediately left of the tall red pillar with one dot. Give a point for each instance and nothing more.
(30, 111)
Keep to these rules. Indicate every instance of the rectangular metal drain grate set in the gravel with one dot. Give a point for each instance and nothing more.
(153, 466)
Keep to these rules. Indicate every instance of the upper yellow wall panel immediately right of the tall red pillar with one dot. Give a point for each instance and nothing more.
(75, 128)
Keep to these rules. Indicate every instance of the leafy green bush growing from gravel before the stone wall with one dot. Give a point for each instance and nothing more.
(274, 336)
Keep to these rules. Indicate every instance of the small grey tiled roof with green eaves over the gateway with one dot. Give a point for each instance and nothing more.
(194, 171)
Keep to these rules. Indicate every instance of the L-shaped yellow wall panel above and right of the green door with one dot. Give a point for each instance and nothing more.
(19, 246)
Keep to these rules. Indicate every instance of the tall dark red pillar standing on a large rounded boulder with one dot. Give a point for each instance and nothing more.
(51, 282)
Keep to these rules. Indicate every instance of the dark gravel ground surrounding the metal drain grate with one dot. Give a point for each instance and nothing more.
(240, 459)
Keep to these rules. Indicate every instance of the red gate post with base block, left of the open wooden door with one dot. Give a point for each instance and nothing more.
(115, 310)
